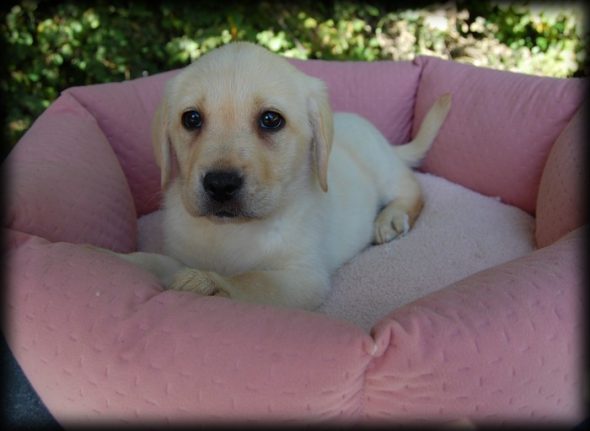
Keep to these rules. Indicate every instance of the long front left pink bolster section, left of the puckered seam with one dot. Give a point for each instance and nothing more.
(102, 341)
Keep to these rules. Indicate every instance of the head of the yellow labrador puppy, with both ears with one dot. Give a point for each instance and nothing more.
(241, 130)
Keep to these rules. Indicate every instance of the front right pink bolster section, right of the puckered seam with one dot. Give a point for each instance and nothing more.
(501, 346)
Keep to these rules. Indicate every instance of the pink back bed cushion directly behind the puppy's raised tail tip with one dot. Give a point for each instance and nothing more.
(500, 129)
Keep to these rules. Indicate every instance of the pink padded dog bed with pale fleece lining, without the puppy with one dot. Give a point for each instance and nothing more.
(475, 314)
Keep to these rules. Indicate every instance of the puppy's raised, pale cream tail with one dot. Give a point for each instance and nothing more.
(413, 152)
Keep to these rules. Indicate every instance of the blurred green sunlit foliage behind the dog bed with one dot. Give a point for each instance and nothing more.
(49, 46)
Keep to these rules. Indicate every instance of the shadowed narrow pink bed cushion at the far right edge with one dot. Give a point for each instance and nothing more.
(560, 204)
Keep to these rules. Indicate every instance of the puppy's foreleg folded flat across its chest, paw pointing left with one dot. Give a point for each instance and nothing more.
(300, 287)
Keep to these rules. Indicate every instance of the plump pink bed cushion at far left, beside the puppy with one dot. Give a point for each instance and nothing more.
(65, 182)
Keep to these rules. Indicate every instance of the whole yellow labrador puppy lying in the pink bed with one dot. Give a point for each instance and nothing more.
(266, 191)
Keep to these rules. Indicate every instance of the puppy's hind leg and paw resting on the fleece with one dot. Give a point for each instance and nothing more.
(399, 215)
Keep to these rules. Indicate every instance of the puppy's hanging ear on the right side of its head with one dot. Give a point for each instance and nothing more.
(320, 118)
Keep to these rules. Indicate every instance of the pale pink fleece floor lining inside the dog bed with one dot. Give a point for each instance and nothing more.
(458, 233)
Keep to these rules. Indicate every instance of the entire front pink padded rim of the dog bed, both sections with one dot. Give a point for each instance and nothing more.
(102, 342)
